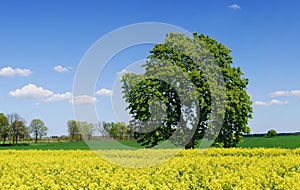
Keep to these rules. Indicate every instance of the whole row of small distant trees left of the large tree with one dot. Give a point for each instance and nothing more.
(13, 129)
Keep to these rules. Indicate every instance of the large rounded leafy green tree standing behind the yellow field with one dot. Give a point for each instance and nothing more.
(141, 91)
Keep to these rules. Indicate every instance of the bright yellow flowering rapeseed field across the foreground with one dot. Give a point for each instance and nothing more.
(190, 169)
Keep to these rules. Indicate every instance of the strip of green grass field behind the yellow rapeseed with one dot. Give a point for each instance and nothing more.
(290, 142)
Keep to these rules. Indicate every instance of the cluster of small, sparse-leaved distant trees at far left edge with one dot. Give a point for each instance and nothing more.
(13, 127)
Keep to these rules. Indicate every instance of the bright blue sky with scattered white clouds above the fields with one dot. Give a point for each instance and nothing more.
(42, 44)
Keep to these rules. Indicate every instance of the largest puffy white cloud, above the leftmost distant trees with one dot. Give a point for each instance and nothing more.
(31, 91)
